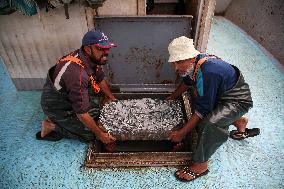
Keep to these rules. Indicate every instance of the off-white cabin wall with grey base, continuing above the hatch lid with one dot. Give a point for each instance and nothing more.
(29, 46)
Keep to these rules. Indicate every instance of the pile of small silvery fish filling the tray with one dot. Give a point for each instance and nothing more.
(144, 118)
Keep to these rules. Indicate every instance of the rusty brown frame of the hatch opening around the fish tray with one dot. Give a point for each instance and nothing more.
(97, 159)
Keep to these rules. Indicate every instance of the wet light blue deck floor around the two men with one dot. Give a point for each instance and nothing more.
(253, 163)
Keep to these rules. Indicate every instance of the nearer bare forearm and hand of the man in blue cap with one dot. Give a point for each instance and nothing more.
(85, 118)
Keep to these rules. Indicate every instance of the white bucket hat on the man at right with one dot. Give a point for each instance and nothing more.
(182, 48)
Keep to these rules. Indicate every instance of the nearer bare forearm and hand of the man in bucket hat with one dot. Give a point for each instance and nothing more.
(177, 136)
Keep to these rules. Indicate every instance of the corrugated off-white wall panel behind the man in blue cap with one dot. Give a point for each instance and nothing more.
(30, 45)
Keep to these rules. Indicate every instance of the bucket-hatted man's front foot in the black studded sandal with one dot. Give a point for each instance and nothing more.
(197, 168)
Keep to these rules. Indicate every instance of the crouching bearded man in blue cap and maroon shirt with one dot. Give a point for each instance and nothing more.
(68, 95)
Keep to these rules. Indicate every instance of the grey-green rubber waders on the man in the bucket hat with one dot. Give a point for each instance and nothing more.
(213, 129)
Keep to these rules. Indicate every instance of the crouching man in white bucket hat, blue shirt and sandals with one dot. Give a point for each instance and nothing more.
(222, 98)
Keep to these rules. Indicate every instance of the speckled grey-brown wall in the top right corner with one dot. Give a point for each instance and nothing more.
(263, 20)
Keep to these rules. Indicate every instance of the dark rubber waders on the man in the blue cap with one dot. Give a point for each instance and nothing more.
(58, 109)
